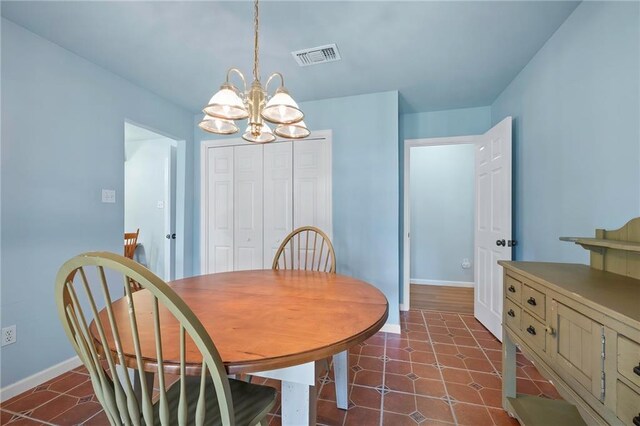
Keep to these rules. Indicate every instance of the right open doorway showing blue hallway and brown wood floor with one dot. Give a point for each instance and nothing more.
(441, 203)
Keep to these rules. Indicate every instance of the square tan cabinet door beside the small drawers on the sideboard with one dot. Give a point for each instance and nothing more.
(577, 347)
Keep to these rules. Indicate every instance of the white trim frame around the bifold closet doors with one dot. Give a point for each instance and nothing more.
(236, 141)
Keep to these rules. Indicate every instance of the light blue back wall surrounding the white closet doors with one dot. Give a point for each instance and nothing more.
(365, 186)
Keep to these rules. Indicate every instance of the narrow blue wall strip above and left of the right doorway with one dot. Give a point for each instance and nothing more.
(457, 122)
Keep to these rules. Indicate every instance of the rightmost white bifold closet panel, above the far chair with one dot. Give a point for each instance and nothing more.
(312, 184)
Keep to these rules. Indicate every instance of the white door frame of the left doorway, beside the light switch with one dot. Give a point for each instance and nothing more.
(179, 196)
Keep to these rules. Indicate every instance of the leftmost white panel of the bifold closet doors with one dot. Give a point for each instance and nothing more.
(219, 210)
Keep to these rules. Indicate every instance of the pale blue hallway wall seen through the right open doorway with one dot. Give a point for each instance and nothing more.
(442, 203)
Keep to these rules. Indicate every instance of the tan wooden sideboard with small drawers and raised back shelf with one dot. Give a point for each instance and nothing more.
(580, 325)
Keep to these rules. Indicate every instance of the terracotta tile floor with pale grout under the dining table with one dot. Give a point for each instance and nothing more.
(442, 369)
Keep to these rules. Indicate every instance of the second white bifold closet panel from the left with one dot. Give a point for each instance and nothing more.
(248, 215)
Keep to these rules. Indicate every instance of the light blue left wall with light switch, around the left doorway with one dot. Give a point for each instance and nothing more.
(62, 142)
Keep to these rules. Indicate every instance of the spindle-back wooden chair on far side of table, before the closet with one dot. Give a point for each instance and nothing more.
(307, 248)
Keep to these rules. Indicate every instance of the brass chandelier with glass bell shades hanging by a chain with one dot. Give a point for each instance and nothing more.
(230, 104)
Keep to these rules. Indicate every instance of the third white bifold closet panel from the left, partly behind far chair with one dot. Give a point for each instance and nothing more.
(278, 198)
